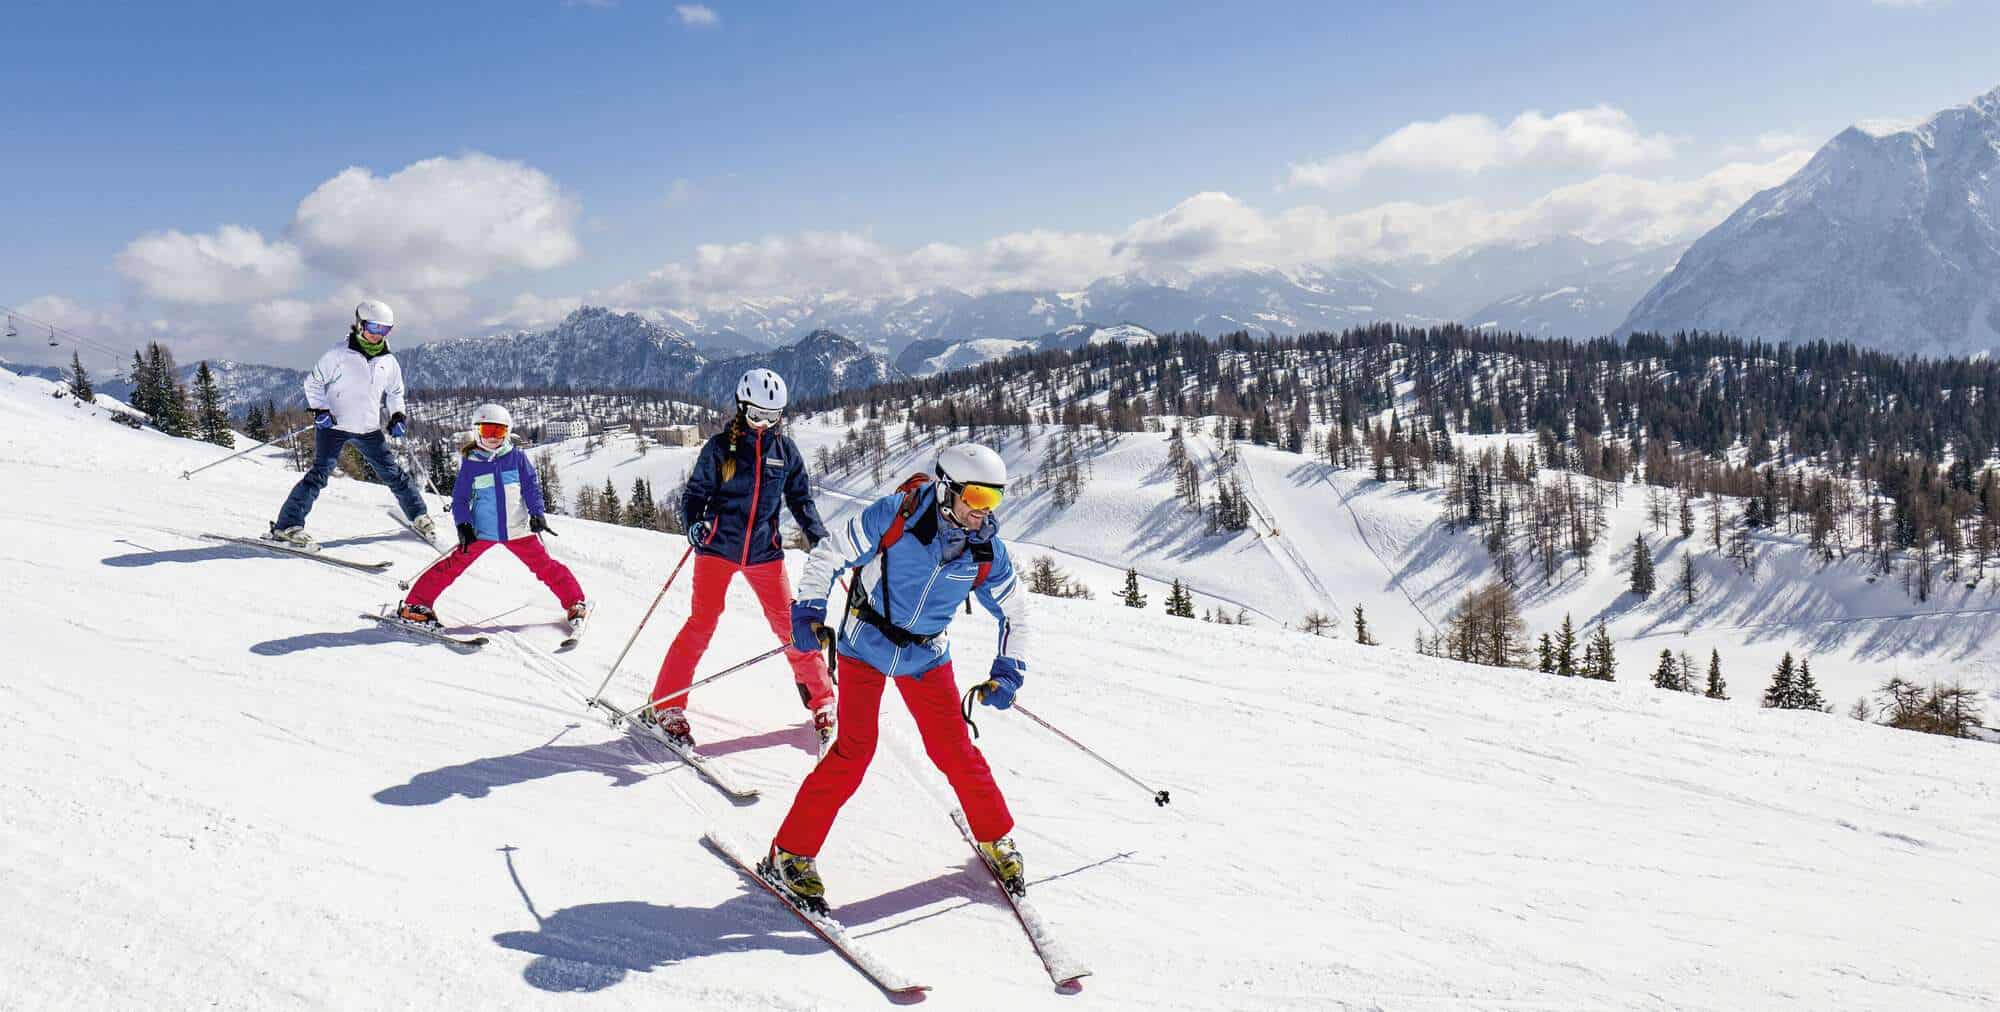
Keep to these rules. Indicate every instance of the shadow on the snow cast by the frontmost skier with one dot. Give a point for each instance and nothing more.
(595, 947)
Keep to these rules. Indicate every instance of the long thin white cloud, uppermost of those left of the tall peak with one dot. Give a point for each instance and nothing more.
(1597, 137)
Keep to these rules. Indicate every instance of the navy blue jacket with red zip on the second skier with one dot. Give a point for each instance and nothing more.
(739, 483)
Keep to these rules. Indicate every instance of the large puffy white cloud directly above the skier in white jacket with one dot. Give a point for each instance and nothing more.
(441, 223)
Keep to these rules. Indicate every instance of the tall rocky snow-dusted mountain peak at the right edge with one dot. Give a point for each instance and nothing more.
(1887, 239)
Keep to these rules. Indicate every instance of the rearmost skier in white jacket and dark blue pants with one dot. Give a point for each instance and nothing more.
(347, 393)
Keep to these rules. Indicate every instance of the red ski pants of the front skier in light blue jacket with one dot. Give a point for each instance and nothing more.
(933, 701)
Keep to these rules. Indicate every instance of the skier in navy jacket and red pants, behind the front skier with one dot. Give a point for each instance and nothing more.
(731, 511)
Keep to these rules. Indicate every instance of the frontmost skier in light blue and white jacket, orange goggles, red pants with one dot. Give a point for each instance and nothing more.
(917, 557)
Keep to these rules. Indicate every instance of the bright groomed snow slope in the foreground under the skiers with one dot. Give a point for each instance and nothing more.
(223, 789)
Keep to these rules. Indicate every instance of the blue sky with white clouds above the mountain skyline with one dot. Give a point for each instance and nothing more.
(657, 155)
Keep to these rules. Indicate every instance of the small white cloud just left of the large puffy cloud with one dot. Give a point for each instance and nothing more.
(231, 265)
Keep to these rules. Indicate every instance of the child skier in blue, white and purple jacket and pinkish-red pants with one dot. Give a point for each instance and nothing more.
(497, 501)
